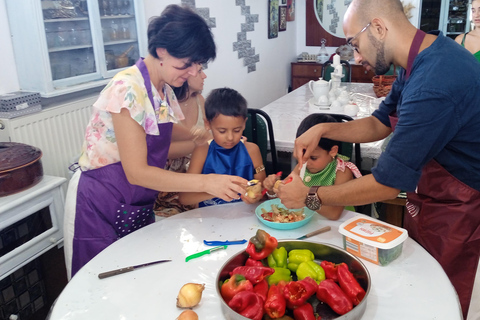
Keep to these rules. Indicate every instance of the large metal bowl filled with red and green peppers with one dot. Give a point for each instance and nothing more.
(291, 260)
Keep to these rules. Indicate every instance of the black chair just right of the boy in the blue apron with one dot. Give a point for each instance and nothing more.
(257, 127)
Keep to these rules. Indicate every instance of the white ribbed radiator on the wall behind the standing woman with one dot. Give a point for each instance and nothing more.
(57, 131)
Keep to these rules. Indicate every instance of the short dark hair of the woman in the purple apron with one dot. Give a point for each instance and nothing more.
(183, 33)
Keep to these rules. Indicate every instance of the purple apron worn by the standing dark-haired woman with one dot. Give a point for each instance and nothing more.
(108, 206)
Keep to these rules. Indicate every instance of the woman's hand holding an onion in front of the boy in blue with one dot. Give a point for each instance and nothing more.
(225, 187)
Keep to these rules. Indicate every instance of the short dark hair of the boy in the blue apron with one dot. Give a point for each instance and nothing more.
(225, 101)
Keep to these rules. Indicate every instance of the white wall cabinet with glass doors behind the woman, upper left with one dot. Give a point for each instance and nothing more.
(67, 46)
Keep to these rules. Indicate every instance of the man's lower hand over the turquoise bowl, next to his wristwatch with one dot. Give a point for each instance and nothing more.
(293, 193)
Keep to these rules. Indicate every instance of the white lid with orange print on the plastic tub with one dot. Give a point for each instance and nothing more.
(373, 232)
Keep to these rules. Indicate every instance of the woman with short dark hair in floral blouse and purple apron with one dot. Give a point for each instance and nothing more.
(128, 137)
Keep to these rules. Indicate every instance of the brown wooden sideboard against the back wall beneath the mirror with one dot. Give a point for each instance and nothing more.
(303, 72)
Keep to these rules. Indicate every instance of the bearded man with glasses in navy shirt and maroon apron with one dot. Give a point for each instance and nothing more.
(434, 109)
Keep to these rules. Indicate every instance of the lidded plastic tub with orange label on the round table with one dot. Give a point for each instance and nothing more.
(373, 240)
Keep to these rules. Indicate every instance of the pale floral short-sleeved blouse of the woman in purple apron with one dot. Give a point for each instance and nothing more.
(126, 90)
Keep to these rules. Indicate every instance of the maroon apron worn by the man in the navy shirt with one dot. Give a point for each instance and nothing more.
(443, 216)
